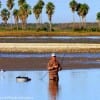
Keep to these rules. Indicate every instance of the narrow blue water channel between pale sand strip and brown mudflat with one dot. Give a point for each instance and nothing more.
(42, 55)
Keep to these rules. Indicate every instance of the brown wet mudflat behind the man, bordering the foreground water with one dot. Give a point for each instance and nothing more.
(41, 63)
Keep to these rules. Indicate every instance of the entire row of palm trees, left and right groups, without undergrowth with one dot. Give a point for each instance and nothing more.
(24, 10)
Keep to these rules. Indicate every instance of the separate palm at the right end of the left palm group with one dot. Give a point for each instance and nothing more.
(50, 7)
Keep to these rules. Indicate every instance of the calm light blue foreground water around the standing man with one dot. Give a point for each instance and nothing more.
(73, 85)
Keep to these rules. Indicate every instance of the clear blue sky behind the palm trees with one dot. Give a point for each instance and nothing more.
(63, 13)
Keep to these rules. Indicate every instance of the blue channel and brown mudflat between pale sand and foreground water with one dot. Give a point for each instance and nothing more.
(38, 61)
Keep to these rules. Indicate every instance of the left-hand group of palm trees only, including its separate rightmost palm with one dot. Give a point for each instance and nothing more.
(24, 10)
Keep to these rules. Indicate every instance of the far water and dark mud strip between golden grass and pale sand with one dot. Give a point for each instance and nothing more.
(52, 39)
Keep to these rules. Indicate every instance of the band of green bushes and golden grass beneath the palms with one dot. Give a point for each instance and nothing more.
(58, 30)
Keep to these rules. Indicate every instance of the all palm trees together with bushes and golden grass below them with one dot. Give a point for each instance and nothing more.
(24, 10)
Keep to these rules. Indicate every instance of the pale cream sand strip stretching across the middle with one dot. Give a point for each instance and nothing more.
(49, 47)
